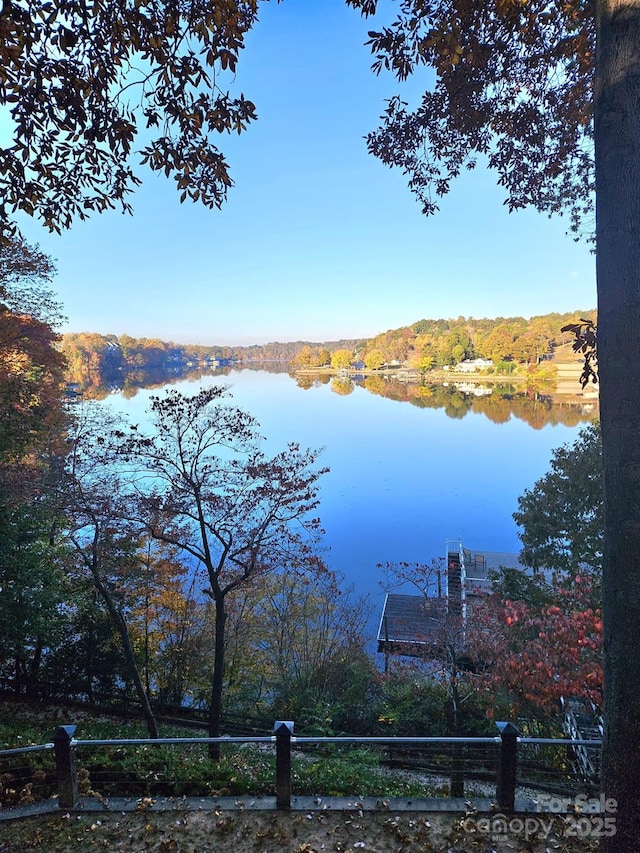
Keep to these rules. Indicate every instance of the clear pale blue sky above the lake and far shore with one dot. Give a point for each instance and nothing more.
(318, 240)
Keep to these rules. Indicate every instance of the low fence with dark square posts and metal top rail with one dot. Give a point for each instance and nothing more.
(500, 763)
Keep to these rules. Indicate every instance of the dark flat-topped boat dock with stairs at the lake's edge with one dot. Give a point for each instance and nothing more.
(411, 623)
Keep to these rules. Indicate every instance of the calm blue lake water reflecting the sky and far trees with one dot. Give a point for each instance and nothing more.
(404, 478)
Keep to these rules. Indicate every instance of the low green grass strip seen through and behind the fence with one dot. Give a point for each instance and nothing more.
(178, 770)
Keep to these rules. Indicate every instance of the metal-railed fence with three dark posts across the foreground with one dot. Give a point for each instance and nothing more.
(495, 767)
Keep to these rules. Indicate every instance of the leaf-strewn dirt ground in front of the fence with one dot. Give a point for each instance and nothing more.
(238, 831)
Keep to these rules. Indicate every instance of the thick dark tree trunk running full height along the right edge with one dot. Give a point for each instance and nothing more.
(617, 137)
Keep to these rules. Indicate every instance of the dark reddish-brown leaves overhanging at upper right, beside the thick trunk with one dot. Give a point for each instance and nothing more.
(513, 85)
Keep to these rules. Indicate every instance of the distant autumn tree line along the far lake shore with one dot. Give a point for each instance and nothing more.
(96, 361)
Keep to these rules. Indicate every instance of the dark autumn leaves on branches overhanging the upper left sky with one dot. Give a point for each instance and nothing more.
(82, 79)
